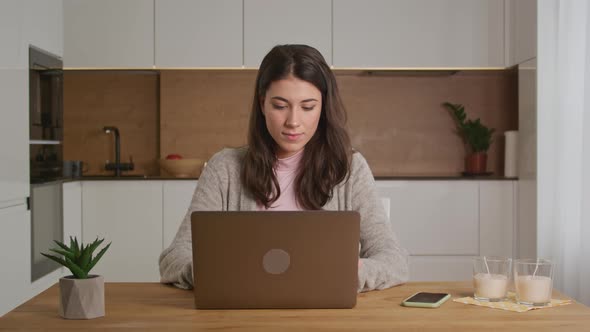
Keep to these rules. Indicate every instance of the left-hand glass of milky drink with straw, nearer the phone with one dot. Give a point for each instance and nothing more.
(490, 278)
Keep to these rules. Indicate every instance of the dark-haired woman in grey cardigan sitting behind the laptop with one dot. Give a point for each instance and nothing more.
(298, 157)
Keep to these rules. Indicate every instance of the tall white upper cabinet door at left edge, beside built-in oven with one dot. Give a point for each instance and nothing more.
(14, 134)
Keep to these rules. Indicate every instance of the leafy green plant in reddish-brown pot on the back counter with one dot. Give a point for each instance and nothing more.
(476, 136)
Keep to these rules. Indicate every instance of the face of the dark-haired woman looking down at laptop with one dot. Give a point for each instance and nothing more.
(292, 109)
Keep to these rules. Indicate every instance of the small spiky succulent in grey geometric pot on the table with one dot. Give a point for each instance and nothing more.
(81, 294)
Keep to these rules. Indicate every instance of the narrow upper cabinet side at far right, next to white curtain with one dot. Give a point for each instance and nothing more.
(521, 27)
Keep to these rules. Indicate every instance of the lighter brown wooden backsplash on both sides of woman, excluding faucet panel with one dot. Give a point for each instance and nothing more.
(395, 119)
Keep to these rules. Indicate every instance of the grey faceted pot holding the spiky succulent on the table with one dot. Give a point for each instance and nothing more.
(81, 298)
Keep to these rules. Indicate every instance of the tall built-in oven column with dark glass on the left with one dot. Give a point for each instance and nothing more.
(46, 156)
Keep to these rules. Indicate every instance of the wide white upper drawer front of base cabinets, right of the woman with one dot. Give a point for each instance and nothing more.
(434, 217)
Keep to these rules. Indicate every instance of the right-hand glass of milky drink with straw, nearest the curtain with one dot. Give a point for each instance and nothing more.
(533, 279)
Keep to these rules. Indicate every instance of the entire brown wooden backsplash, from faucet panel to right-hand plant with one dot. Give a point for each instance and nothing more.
(396, 119)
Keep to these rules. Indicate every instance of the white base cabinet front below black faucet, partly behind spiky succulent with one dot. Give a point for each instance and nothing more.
(128, 214)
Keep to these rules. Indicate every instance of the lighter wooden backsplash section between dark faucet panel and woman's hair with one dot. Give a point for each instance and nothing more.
(204, 111)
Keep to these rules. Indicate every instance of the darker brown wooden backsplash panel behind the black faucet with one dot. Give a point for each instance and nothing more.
(127, 100)
